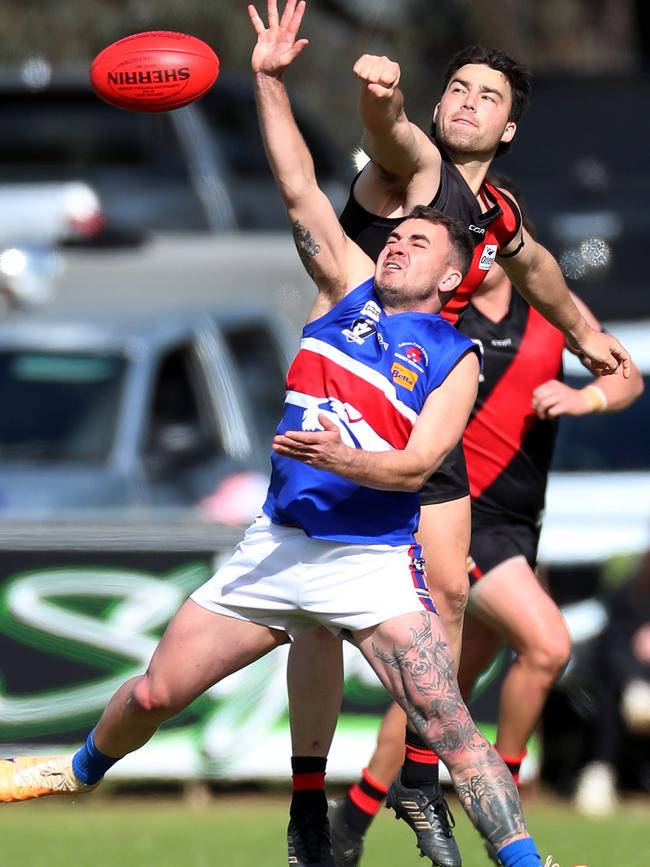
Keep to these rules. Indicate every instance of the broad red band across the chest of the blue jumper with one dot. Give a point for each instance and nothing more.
(315, 374)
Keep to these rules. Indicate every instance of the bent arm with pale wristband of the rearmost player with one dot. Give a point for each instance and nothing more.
(602, 394)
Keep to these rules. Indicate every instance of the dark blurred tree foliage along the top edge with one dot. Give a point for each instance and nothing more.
(576, 35)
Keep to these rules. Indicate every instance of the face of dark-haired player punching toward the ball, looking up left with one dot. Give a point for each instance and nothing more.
(472, 116)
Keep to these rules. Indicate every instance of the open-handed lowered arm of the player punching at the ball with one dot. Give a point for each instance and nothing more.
(536, 274)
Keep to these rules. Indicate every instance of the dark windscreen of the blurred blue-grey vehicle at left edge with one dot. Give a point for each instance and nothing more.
(58, 406)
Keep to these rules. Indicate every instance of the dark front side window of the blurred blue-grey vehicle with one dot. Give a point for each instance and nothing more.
(179, 427)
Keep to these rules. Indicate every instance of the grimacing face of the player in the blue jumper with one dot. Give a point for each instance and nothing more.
(412, 270)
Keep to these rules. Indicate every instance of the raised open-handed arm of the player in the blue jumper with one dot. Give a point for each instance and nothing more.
(334, 262)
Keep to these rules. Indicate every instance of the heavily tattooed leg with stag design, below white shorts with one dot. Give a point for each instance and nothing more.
(412, 658)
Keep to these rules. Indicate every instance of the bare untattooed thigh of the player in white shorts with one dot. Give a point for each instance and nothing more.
(200, 647)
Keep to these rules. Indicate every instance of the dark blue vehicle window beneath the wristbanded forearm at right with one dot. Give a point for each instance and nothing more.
(605, 442)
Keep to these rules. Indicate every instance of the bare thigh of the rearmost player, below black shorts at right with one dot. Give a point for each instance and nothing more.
(511, 600)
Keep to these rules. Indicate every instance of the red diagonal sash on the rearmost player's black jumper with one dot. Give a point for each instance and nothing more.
(496, 432)
